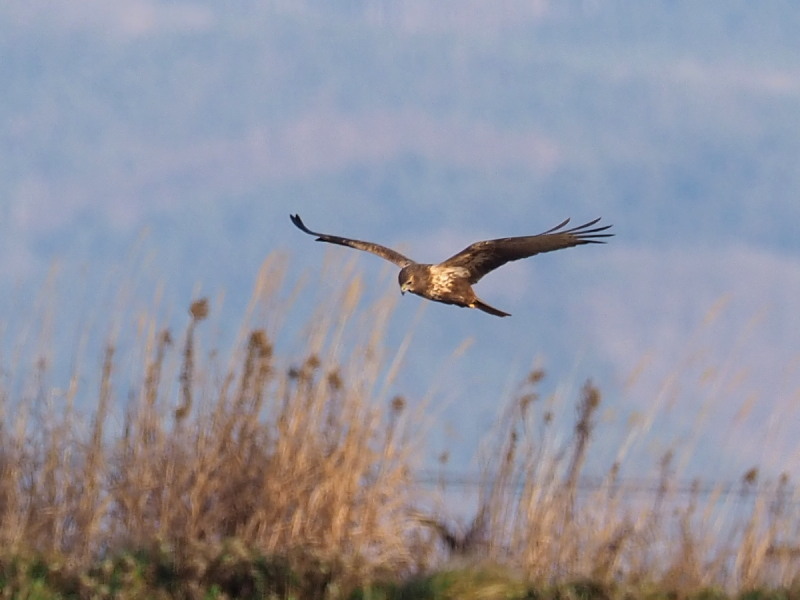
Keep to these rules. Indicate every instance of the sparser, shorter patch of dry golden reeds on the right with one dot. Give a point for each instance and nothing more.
(536, 515)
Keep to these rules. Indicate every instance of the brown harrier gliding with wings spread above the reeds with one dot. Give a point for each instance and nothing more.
(451, 281)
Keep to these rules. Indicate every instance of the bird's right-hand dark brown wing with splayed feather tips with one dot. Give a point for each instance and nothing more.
(482, 257)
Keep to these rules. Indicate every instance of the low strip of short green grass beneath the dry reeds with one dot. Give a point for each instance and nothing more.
(235, 573)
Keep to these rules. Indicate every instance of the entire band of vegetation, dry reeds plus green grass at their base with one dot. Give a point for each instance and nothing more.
(262, 475)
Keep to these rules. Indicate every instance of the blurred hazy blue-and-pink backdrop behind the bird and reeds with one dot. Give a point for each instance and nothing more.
(159, 146)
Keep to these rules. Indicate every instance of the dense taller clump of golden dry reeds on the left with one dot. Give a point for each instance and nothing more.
(291, 457)
